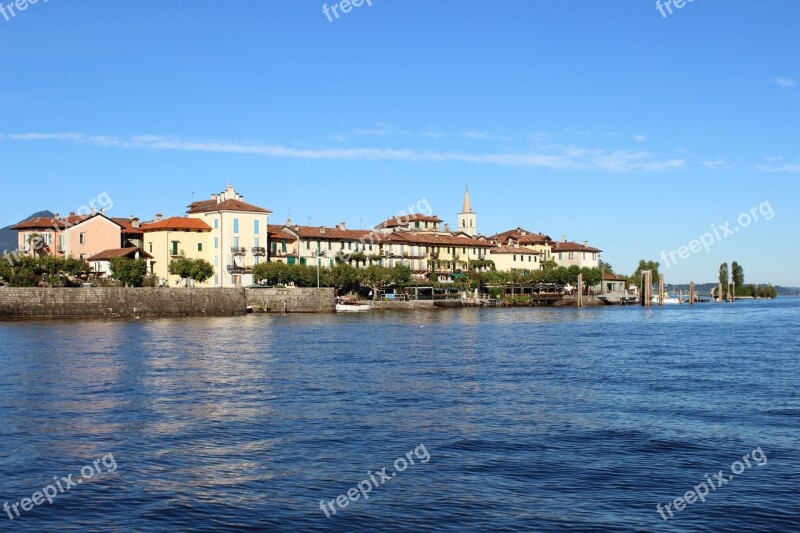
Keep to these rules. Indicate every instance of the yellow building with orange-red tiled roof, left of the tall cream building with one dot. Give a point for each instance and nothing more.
(173, 238)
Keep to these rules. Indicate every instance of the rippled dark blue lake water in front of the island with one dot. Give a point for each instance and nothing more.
(530, 420)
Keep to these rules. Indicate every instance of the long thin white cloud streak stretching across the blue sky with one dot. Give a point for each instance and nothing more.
(556, 158)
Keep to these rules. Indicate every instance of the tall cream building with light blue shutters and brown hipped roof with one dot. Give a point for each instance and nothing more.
(239, 236)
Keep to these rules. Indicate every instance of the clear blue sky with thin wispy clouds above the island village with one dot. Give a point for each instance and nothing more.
(601, 121)
